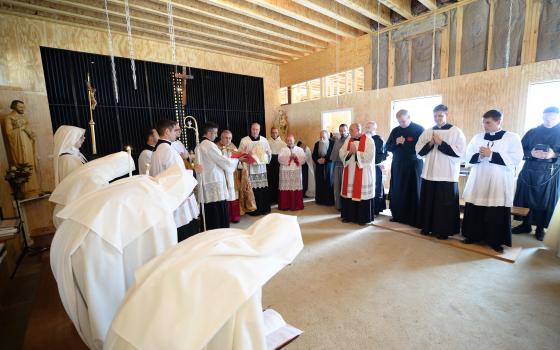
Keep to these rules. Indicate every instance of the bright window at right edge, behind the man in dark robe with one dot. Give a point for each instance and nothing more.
(541, 95)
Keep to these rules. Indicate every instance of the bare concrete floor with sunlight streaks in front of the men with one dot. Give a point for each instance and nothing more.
(361, 287)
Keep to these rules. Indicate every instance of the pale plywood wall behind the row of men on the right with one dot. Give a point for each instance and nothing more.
(467, 96)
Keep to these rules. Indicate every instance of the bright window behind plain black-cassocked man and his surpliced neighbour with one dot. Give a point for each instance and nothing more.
(420, 109)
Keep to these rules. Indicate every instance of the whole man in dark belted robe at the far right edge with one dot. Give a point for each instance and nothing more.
(538, 184)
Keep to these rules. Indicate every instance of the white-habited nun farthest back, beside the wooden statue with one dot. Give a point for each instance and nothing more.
(67, 156)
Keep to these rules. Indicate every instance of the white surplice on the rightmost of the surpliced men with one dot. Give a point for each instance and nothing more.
(490, 184)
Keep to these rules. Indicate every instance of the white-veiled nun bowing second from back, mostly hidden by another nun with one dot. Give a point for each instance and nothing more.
(89, 178)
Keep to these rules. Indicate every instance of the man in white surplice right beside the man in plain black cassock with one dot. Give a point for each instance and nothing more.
(443, 147)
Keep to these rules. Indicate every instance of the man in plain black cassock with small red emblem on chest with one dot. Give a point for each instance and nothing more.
(406, 168)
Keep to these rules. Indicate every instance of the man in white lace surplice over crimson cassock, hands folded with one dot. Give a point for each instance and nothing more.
(290, 192)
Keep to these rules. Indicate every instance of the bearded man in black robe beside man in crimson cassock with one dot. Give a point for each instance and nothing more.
(323, 169)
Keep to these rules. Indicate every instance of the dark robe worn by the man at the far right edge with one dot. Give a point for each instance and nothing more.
(538, 184)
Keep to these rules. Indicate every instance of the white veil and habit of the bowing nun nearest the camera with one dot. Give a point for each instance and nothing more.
(204, 293)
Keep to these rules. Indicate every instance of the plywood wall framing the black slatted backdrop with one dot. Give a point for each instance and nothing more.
(21, 71)
